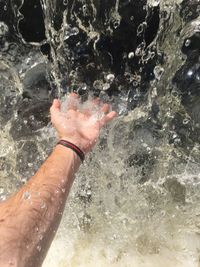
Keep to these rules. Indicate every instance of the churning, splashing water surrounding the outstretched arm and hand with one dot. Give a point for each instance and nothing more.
(136, 200)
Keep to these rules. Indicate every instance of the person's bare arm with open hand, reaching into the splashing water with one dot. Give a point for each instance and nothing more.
(30, 218)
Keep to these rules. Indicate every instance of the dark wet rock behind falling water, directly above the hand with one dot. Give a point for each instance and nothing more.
(98, 46)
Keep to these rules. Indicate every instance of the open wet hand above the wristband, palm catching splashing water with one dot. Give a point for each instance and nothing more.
(81, 126)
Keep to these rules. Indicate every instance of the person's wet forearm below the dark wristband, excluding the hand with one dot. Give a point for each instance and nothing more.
(29, 219)
